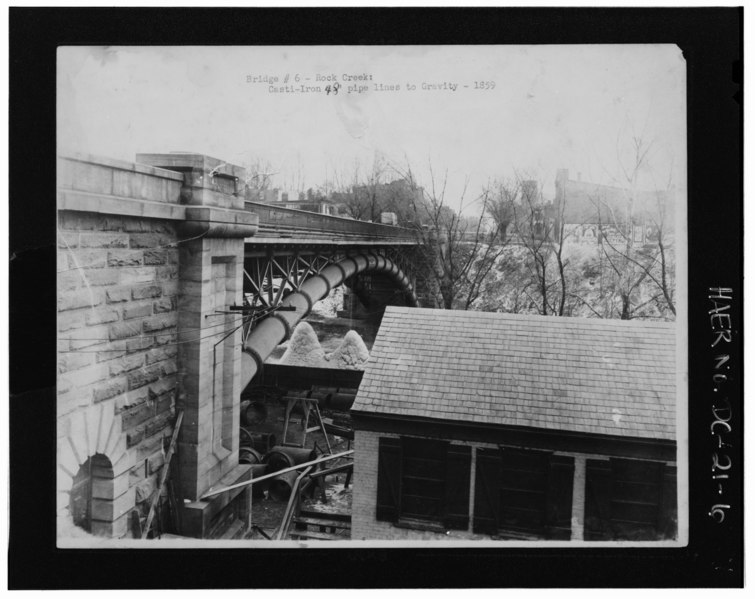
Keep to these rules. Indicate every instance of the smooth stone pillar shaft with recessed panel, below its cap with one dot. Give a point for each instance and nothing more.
(210, 281)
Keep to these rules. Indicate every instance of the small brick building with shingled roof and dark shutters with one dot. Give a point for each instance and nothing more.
(475, 425)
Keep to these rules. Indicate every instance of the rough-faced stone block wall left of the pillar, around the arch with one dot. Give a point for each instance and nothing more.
(117, 333)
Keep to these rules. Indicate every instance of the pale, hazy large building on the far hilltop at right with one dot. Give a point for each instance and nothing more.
(590, 207)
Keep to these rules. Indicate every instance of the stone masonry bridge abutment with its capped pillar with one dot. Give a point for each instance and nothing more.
(146, 258)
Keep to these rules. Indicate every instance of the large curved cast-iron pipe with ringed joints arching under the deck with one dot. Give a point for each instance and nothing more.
(278, 327)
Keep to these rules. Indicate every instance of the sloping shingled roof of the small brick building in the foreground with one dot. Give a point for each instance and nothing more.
(585, 375)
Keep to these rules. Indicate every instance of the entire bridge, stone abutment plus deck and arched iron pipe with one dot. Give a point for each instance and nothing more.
(164, 274)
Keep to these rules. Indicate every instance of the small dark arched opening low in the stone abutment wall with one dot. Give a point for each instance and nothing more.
(91, 486)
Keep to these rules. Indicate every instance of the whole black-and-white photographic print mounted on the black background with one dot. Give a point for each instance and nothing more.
(424, 294)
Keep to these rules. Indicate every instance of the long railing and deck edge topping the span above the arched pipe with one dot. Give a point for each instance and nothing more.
(276, 221)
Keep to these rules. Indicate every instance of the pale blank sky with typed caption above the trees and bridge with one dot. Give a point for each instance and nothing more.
(525, 109)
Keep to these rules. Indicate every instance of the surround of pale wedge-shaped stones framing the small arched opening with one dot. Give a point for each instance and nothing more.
(93, 436)
